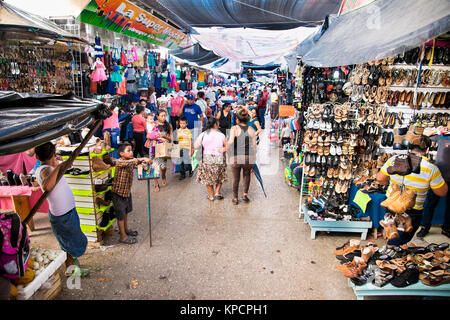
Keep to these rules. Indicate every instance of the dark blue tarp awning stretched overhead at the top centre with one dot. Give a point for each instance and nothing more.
(261, 14)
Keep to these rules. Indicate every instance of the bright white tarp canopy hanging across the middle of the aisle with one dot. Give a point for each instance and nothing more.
(245, 44)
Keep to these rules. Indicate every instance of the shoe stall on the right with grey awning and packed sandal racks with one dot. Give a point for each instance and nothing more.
(392, 95)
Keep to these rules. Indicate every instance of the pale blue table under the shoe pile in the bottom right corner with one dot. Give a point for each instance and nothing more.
(417, 289)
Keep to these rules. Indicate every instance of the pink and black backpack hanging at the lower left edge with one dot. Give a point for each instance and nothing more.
(14, 246)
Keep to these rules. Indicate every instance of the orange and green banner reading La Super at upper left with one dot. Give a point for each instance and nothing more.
(126, 18)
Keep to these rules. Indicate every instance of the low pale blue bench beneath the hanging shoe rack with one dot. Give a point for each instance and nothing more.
(336, 226)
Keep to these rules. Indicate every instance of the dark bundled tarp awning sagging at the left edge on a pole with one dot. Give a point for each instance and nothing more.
(26, 122)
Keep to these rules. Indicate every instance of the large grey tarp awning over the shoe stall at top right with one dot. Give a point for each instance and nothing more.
(379, 30)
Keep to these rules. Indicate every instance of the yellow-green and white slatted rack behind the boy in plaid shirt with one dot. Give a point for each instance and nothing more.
(84, 190)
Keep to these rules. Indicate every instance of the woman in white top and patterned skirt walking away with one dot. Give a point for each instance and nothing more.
(212, 170)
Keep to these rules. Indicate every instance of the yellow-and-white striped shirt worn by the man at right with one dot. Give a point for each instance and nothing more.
(429, 177)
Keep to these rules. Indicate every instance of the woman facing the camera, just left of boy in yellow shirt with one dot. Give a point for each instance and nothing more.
(162, 132)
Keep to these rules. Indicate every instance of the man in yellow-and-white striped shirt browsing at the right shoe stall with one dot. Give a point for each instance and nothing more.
(429, 177)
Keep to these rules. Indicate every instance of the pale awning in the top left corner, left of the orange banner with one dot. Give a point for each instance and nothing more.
(13, 19)
